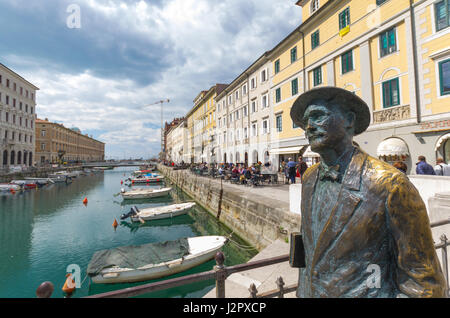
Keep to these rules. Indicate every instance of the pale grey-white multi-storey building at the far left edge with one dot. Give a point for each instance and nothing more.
(17, 119)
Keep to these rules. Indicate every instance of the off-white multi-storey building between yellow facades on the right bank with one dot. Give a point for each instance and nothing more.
(244, 116)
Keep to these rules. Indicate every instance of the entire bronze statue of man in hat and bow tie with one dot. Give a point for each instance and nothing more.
(365, 229)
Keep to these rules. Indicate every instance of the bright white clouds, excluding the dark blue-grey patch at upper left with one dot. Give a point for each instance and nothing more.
(201, 42)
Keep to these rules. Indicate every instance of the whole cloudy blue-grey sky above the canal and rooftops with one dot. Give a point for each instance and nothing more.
(99, 69)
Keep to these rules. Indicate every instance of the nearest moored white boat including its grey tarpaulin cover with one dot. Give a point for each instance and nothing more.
(154, 260)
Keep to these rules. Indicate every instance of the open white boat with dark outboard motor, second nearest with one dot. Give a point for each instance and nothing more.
(161, 212)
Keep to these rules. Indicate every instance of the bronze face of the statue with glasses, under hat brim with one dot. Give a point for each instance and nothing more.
(325, 127)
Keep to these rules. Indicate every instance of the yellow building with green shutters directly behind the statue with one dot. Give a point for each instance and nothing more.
(395, 55)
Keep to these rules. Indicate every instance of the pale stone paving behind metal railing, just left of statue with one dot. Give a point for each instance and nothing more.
(237, 285)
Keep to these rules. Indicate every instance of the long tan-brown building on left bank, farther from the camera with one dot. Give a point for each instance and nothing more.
(56, 143)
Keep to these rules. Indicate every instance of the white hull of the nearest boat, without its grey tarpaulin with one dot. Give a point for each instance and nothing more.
(200, 250)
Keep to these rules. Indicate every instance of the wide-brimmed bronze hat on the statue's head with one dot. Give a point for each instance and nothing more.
(334, 95)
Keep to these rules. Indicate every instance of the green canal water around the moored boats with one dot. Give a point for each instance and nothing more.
(45, 231)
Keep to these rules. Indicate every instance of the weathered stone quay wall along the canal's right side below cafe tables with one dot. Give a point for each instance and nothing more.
(258, 220)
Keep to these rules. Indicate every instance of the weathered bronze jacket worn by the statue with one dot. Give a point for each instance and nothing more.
(379, 219)
